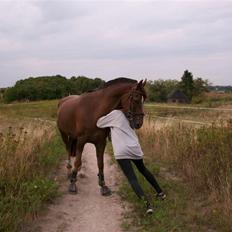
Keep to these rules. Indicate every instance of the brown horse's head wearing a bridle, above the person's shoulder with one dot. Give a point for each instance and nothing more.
(132, 104)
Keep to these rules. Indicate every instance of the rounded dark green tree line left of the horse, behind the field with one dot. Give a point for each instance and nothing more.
(49, 87)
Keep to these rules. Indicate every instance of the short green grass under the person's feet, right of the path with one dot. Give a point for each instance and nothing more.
(181, 211)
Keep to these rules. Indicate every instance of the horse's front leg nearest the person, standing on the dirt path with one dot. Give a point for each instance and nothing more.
(100, 148)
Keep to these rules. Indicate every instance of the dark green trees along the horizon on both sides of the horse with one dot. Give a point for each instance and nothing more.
(55, 87)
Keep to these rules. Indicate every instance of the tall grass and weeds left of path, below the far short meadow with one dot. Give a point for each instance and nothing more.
(26, 152)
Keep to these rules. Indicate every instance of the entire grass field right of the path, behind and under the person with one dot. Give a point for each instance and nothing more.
(193, 164)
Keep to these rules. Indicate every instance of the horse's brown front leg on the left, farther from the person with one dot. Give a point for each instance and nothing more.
(77, 151)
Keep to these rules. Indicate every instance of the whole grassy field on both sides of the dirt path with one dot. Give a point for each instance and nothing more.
(189, 153)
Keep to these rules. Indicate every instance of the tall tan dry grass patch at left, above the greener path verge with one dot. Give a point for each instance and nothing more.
(18, 147)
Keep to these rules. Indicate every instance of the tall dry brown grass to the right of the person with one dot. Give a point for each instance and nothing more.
(202, 155)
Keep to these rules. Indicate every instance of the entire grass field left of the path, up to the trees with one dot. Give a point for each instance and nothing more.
(30, 149)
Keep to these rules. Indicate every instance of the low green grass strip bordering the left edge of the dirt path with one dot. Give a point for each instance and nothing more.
(36, 186)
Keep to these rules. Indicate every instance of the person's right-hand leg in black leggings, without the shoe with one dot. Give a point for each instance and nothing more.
(148, 175)
